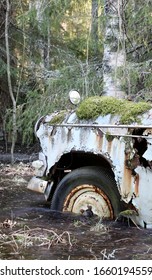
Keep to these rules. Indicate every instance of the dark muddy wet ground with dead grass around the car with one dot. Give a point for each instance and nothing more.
(29, 230)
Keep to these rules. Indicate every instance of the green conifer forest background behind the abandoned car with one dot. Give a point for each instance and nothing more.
(49, 47)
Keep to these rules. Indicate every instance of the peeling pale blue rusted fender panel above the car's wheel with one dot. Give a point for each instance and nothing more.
(126, 148)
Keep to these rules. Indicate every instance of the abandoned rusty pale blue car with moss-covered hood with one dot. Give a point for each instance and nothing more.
(99, 155)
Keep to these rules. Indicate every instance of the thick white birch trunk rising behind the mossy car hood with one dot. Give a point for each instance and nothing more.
(114, 49)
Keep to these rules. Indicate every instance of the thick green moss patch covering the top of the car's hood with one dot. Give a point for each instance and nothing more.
(95, 106)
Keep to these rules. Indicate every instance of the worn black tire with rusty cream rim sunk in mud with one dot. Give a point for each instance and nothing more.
(88, 186)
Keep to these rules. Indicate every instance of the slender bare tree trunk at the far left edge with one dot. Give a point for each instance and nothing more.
(9, 80)
